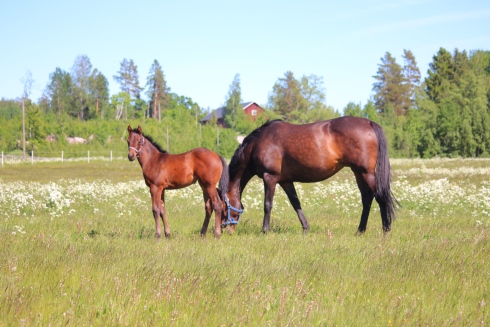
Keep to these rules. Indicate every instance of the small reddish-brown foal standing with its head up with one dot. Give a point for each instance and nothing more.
(163, 170)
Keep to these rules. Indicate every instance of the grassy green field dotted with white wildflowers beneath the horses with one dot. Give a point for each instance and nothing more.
(77, 248)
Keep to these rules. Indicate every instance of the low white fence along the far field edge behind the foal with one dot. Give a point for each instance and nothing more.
(62, 156)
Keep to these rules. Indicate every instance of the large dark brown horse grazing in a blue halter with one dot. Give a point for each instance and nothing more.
(283, 153)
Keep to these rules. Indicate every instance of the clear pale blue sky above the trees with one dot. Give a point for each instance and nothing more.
(201, 45)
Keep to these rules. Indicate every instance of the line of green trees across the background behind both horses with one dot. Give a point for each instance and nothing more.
(446, 113)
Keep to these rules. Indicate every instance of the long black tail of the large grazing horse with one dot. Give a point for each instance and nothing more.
(383, 192)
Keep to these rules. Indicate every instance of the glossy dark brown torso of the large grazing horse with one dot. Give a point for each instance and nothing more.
(315, 151)
